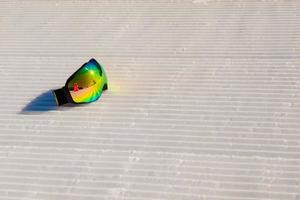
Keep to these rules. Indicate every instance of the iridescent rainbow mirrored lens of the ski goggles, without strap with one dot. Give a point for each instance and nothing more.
(88, 83)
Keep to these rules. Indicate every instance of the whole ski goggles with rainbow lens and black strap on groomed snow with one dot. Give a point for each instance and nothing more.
(84, 86)
